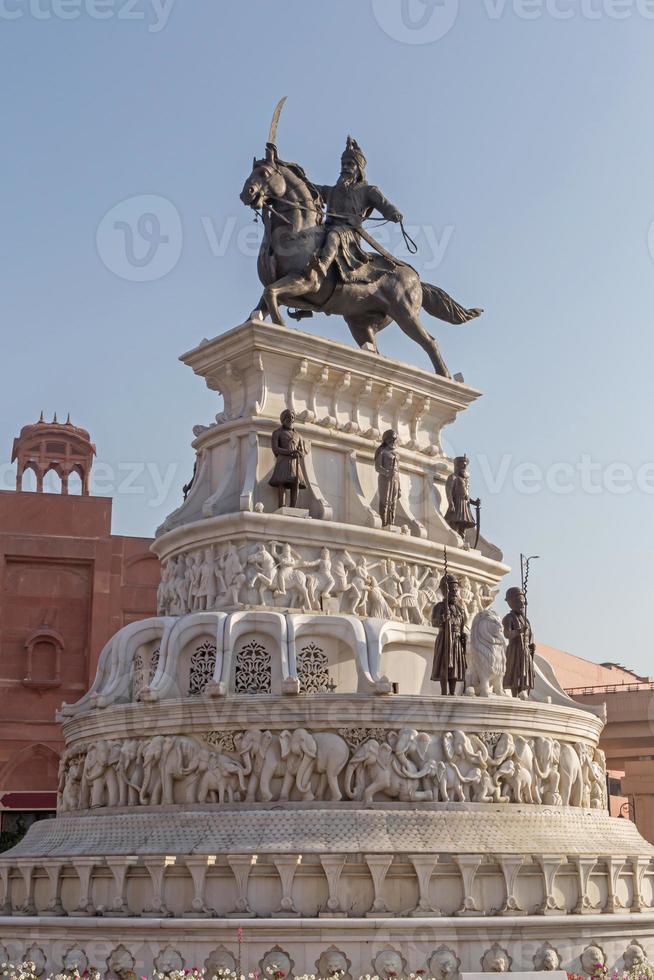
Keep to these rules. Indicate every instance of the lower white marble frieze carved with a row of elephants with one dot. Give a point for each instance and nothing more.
(365, 764)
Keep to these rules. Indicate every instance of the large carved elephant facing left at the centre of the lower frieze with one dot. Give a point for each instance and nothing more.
(324, 754)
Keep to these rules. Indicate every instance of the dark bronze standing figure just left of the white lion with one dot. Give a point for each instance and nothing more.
(450, 652)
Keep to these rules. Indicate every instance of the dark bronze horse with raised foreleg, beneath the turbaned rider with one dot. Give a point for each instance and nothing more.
(292, 211)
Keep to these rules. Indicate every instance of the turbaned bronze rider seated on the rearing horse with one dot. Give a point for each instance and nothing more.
(349, 202)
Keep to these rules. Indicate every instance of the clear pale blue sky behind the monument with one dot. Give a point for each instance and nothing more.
(524, 145)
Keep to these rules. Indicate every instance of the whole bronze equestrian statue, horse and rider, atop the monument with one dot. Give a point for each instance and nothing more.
(312, 259)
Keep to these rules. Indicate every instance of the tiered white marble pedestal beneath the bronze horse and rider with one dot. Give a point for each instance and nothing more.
(327, 732)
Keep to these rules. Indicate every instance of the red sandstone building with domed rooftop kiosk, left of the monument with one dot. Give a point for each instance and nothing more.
(66, 585)
